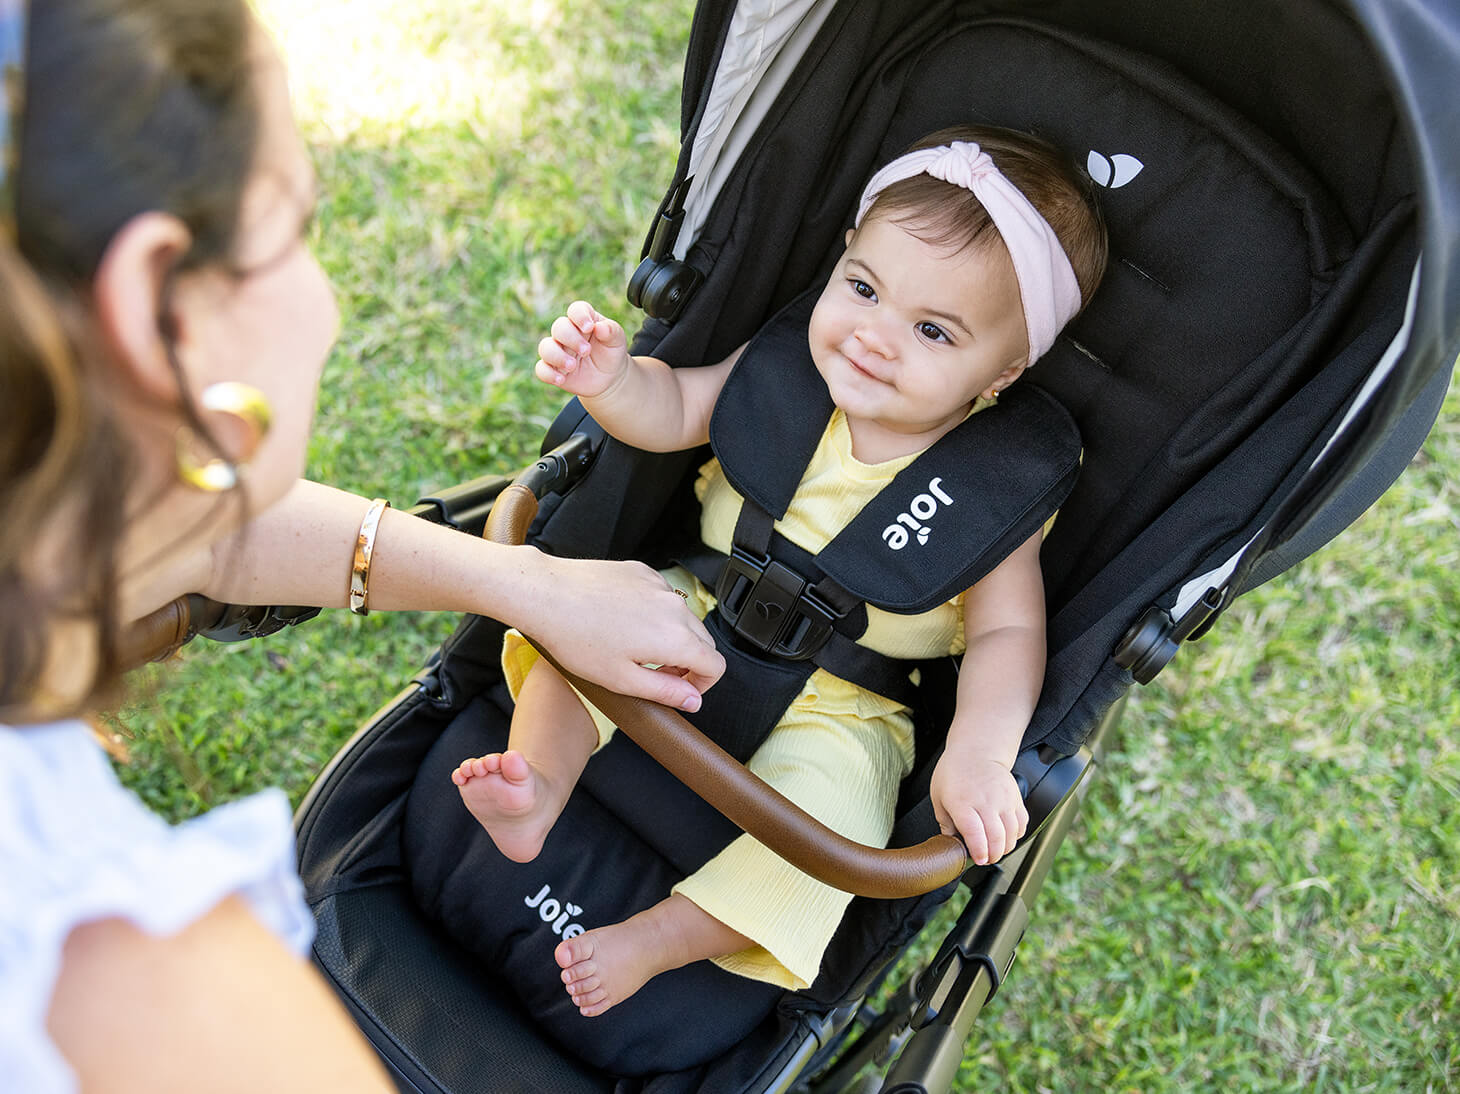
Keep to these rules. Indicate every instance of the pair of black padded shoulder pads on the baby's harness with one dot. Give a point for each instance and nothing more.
(947, 521)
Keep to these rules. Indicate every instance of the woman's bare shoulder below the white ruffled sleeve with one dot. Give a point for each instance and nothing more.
(220, 1007)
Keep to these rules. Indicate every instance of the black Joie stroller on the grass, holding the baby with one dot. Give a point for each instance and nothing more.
(1265, 357)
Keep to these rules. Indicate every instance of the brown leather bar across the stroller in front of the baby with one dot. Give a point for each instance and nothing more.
(726, 785)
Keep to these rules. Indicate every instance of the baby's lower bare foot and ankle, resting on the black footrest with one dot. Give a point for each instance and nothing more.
(607, 966)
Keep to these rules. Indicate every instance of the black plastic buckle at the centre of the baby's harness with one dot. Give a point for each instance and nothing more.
(773, 608)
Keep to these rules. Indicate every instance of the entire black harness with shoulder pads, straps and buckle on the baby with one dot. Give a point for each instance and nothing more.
(944, 522)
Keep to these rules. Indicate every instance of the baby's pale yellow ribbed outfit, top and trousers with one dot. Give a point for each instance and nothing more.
(839, 751)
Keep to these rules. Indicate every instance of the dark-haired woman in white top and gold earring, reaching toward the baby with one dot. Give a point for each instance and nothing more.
(163, 329)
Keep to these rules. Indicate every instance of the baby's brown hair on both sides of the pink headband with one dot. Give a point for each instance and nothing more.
(947, 215)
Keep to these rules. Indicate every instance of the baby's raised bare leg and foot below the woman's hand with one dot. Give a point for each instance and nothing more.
(518, 795)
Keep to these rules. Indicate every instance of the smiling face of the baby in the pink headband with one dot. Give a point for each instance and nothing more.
(907, 337)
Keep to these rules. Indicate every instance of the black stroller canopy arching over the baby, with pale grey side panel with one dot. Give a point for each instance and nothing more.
(1359, 94)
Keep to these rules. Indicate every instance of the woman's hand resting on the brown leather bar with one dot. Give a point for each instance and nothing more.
(608, 621)
